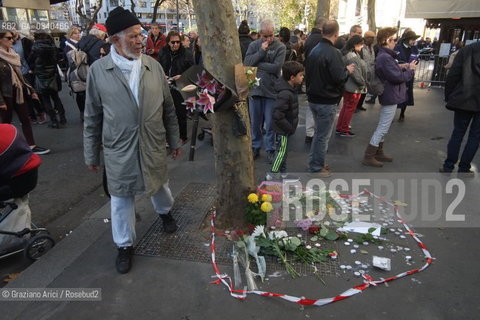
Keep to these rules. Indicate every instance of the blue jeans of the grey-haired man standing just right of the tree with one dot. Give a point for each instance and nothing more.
(261, 108)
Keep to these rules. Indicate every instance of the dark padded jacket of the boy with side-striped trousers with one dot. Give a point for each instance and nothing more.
(285, 113)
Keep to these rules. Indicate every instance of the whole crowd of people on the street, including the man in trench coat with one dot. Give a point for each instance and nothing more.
(126, 93)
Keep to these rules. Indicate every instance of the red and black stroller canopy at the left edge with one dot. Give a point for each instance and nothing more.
(16, 157)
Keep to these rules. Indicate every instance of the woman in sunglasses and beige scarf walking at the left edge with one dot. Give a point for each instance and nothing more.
(14, 89)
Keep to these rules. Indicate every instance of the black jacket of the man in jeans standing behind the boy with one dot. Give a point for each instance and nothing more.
(326, 74)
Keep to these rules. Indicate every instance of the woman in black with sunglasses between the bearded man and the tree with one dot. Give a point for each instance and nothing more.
(175, 60)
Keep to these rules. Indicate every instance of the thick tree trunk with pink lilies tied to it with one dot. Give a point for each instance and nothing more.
(233, 155)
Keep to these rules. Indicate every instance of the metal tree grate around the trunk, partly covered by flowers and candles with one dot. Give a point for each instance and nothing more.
(192, 206)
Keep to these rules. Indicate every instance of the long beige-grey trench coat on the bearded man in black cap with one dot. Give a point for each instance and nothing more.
(133, 136)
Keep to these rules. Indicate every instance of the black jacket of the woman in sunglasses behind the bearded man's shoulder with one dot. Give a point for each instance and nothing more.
(175, 63)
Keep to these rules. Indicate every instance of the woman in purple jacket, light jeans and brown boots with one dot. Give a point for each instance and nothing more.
(394, 77)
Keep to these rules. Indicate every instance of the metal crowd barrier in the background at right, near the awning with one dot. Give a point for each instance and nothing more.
(431, 70)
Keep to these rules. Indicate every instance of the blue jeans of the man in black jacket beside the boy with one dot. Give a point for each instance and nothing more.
(324, 116)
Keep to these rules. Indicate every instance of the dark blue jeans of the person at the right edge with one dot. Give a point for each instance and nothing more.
(461, 121)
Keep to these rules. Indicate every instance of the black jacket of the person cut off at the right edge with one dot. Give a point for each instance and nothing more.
(463, 80)
